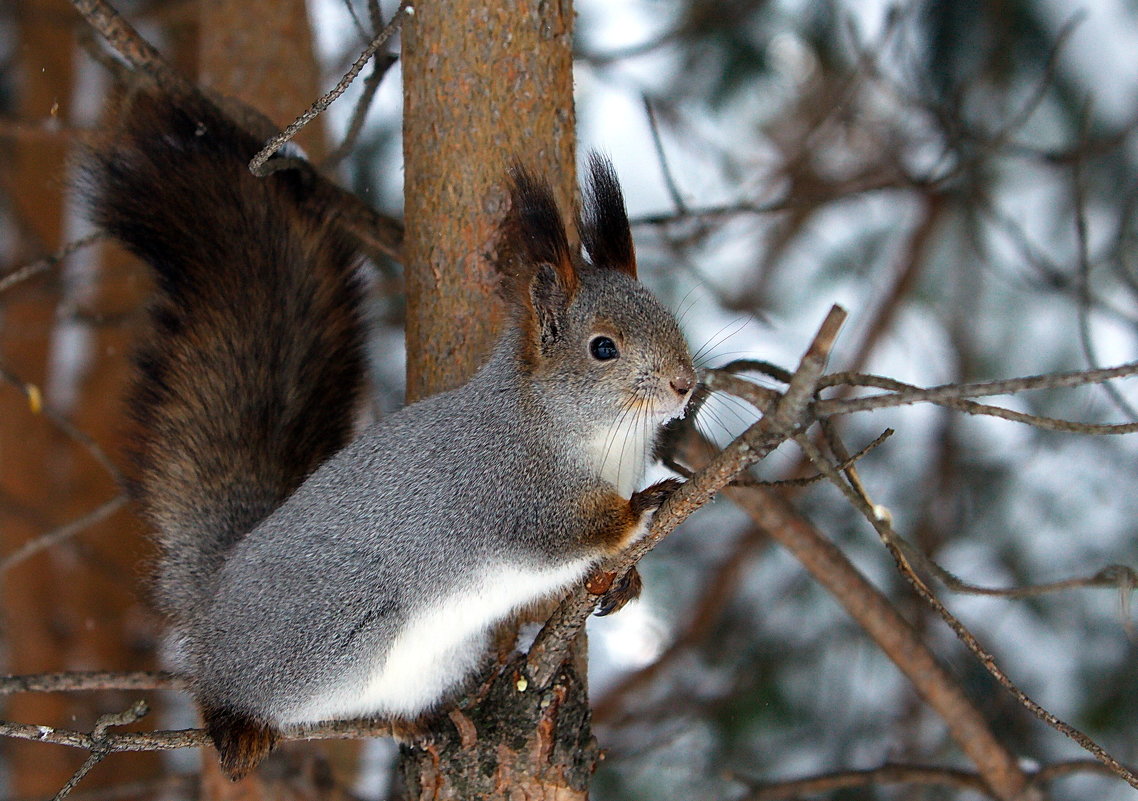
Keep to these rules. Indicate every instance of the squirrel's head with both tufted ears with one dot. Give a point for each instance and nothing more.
(589, 331)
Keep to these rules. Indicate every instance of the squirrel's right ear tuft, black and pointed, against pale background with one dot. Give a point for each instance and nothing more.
(605, 222)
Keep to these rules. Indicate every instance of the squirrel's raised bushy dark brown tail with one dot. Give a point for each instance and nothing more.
(250, 377)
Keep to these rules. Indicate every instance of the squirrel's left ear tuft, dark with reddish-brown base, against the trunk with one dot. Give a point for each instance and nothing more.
(534, 233)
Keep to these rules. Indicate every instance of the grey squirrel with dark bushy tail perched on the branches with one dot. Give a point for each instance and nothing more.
(309, 577)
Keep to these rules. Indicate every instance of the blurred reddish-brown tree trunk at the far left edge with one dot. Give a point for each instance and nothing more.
(76, 605)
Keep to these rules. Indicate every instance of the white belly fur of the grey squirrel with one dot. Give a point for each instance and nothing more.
(439, 648)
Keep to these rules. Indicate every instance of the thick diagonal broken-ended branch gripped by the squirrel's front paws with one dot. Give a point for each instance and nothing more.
(789, 415)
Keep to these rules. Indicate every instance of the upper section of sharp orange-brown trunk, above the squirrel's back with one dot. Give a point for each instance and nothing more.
(484, 85)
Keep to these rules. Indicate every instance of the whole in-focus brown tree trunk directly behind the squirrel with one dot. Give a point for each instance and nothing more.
(484, 85)
